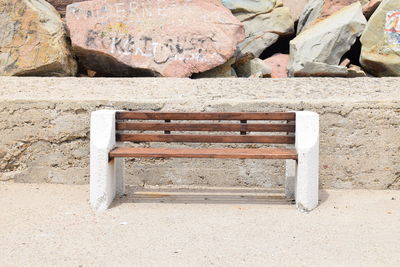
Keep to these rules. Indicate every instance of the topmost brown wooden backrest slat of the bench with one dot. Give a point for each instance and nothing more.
(205, 116)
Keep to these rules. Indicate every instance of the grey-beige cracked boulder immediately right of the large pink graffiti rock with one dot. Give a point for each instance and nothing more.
(264, 21)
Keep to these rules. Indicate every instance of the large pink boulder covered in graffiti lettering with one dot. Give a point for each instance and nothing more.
(171, 38)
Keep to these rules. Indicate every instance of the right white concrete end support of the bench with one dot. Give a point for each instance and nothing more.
(307, 174)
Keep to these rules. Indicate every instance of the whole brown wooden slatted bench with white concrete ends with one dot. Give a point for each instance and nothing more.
(297, 130)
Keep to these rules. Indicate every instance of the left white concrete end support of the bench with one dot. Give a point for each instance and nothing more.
(106, 177)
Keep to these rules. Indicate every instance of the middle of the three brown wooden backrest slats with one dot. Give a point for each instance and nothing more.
(222, 127)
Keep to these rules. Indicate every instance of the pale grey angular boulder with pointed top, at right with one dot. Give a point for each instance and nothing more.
(318, 49)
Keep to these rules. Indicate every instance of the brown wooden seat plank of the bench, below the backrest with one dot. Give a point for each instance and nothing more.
(233, 153)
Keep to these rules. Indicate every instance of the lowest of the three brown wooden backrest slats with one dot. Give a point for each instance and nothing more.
(282, 139)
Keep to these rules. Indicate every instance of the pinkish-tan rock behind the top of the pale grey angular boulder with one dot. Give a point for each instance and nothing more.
(317, 10)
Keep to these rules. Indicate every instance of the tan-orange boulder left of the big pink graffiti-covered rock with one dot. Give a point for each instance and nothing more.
(33, 40)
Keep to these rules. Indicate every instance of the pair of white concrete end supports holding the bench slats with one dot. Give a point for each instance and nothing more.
(106, 175)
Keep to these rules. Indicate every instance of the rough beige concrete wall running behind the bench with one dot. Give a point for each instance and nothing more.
(44, 127)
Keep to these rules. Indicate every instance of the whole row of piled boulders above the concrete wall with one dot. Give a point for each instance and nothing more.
(200, 38)
